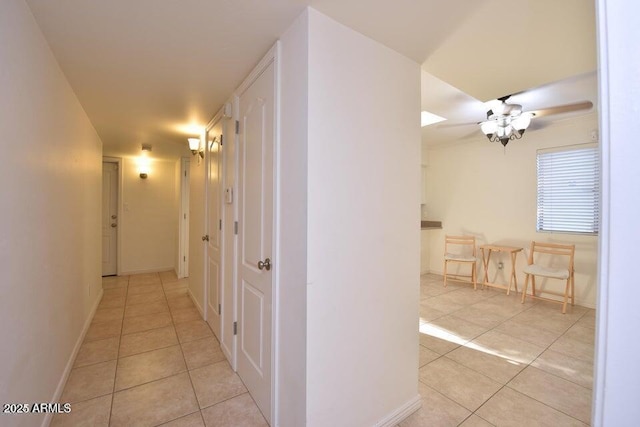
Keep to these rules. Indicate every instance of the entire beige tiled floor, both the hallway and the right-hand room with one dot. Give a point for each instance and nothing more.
(485, 359)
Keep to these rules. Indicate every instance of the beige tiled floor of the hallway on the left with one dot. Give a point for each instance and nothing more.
(148, 359)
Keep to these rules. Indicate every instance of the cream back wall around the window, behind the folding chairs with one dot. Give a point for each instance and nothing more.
(479, 188)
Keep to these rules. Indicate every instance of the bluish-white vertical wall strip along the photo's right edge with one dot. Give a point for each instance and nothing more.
(617, 382)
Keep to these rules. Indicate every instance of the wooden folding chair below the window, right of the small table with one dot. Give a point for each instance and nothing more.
(559, 267)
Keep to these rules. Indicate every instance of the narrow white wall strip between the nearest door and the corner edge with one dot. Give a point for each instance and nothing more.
(291, 268)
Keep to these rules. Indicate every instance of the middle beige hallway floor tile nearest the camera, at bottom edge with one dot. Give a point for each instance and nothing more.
(154, 403)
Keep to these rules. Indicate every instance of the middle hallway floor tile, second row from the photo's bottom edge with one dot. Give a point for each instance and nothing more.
(149, 366)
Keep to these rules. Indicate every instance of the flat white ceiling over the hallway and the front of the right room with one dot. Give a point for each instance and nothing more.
(152, 71)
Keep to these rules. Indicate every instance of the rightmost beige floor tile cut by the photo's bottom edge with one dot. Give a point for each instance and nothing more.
(512, 409)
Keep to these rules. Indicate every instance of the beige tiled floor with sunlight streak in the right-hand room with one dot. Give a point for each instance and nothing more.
(488, 360)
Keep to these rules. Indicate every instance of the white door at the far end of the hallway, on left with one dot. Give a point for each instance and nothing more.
(109, 218)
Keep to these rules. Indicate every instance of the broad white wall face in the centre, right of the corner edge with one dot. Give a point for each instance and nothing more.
(363, 227)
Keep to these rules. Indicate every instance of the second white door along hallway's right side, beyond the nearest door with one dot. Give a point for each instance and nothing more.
(214, 228)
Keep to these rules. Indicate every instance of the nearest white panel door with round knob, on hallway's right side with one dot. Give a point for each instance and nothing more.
(255, 236)
